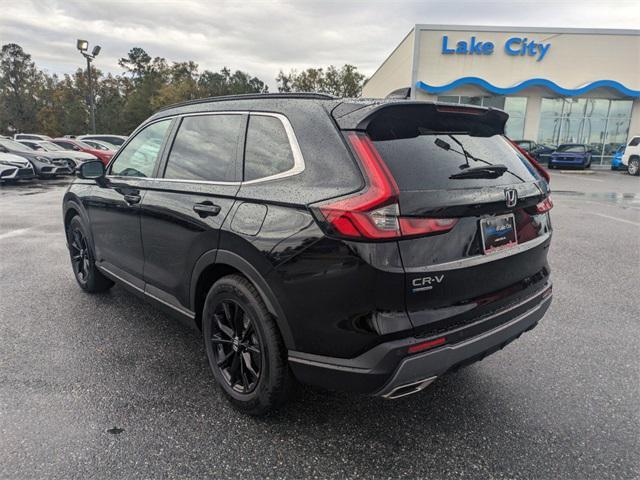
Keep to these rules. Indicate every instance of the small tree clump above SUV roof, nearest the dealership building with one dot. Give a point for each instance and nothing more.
(343, 82)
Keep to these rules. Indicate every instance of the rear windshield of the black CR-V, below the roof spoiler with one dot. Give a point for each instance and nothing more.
(427, 161)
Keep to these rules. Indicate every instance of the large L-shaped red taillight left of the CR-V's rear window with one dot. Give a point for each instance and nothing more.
(374, 213)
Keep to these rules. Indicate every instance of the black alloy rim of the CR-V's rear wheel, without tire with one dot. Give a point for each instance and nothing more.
(236, 346)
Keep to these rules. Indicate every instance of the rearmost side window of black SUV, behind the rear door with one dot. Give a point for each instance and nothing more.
(268, 151)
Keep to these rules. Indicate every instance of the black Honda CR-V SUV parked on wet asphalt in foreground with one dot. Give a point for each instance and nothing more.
(358, 245)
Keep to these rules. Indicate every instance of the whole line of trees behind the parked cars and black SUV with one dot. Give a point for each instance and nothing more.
(31, 100)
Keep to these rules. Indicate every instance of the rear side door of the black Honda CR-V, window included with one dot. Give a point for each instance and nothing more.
(196, 189)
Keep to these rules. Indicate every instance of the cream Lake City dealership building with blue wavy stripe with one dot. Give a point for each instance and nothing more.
(557, 85)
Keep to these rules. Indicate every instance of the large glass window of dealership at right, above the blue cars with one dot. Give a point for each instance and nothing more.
(601, 124)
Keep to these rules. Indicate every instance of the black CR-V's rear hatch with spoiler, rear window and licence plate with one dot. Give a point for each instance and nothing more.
(473, 212)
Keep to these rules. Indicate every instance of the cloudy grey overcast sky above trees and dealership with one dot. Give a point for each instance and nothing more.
(261, 36)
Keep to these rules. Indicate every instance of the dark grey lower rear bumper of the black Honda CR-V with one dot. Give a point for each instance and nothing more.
(387, 370)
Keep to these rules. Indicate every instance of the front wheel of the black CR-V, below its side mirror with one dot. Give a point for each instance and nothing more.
(82, 256)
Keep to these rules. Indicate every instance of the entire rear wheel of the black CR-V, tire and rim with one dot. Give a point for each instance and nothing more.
(244, 347)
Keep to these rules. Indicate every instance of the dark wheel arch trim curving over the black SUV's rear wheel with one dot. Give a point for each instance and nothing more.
(217, 263)
